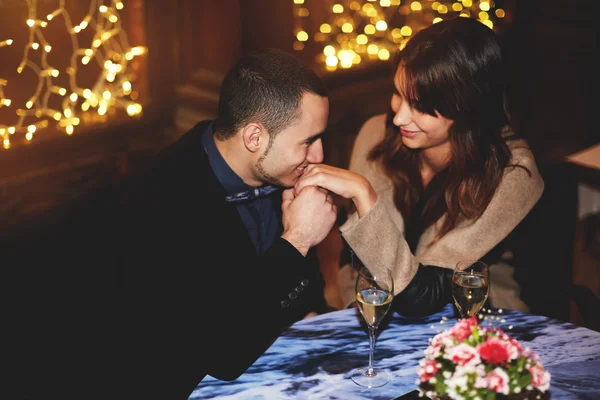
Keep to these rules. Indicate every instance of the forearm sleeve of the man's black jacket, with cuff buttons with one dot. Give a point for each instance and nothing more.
(288, 287)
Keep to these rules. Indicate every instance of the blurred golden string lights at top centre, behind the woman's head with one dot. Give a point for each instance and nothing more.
(372, 30)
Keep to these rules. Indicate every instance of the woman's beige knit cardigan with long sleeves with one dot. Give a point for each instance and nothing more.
(378, 237)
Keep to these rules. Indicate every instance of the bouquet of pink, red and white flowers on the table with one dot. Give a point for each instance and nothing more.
(469, 361)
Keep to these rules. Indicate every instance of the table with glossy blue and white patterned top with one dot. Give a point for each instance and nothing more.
(314, 357)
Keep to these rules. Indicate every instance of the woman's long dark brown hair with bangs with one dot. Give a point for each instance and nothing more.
(455, 68)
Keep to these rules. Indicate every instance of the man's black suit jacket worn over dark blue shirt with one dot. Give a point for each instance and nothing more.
(213, 302)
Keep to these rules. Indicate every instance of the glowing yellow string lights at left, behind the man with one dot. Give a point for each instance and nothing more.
(109, 49)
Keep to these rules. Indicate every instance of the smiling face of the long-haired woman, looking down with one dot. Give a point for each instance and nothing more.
(418, 130)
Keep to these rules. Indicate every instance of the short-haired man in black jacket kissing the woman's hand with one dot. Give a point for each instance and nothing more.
(207, 278)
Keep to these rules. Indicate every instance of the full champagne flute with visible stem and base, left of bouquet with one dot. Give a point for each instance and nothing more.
(374, 294)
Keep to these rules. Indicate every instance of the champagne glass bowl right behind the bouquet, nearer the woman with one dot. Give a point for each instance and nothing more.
(470, 286)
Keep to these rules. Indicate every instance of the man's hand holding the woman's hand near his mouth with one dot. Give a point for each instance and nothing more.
(307, 216)
